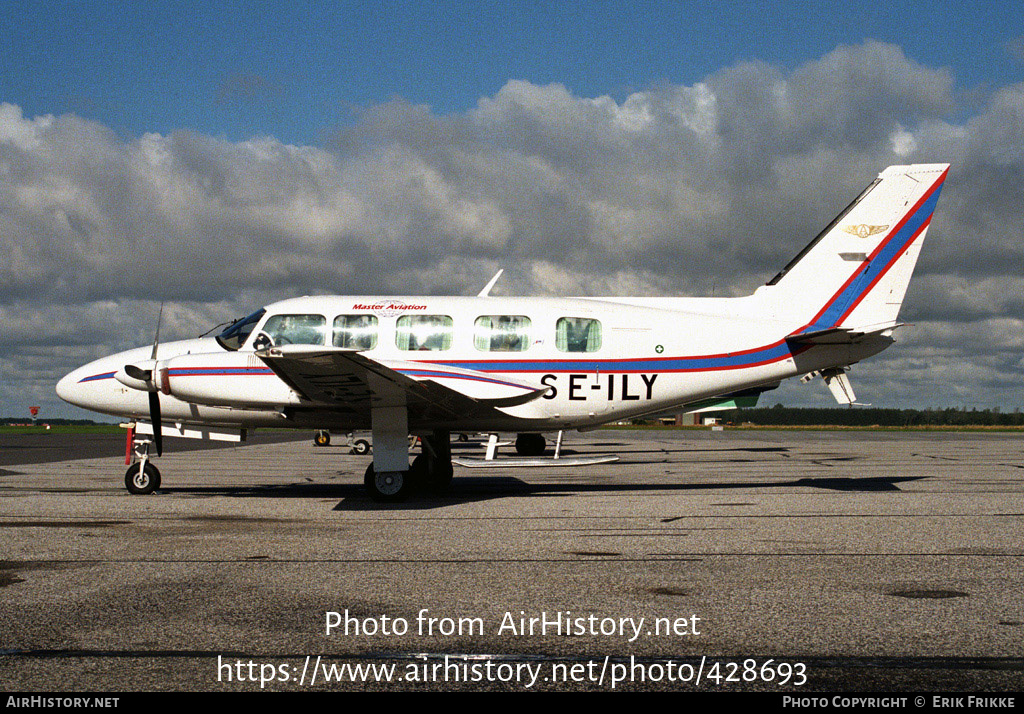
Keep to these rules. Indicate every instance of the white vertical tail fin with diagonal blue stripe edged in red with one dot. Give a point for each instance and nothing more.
(857, 272)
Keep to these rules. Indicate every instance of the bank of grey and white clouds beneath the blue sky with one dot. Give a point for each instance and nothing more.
(674, 190)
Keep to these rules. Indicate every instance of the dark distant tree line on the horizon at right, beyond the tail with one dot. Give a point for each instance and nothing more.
(845, 416)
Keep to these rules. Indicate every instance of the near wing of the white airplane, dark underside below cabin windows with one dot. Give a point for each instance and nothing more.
(350, 381)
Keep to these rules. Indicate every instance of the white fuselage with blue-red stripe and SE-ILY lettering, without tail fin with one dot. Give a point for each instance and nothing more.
(634, 360)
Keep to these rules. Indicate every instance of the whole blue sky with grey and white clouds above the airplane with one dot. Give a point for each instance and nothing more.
(221, 159)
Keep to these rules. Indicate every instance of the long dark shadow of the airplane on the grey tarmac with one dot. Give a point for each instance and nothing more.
(476, 489)
